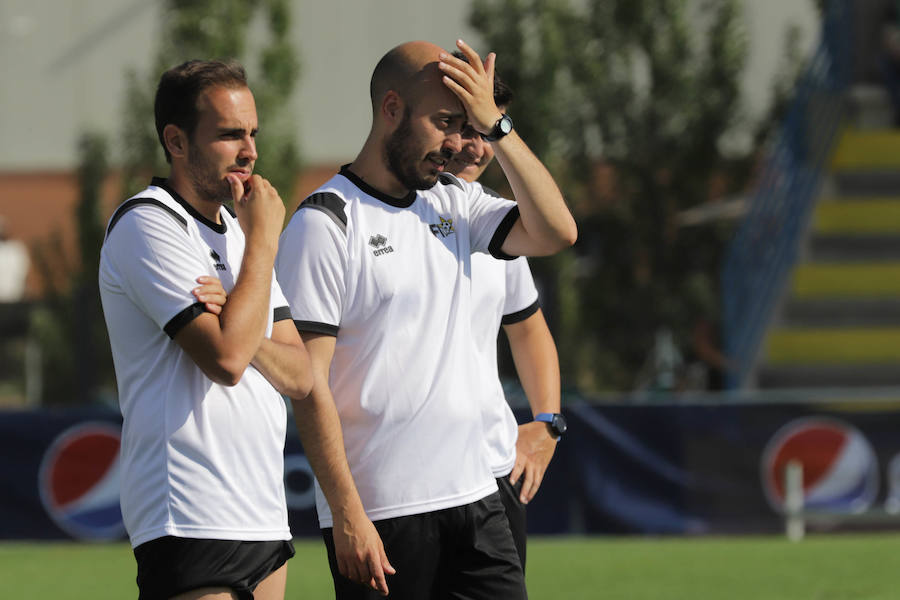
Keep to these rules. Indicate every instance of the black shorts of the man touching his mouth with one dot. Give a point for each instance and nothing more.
(169, 566)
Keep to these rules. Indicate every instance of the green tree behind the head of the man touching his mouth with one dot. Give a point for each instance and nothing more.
(210, 29)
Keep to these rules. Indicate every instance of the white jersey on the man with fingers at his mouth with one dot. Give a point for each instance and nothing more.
(198, 459)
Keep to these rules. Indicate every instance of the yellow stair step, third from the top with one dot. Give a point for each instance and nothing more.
(846, 280)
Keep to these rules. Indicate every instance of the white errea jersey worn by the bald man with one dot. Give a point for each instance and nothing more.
(390, 278)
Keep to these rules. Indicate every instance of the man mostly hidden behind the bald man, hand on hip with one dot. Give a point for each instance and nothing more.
(503, 292)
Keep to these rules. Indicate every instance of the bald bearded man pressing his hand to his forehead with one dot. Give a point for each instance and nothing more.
(376, 266)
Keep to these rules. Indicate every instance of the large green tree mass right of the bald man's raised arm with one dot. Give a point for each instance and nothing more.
(651, 90)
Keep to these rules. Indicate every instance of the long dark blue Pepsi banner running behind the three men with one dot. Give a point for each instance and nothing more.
(652, 469)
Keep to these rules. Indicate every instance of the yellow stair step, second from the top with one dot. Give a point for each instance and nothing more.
(858, 216)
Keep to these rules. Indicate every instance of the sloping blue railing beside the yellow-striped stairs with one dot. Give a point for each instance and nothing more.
(766, 244)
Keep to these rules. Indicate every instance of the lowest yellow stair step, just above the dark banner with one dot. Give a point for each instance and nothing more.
(833, 346)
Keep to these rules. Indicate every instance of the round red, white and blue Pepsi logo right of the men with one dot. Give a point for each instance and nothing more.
(840, 469)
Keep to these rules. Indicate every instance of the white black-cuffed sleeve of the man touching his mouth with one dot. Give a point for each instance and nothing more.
(157, 265)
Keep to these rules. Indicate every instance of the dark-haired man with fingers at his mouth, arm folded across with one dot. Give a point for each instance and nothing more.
(201, 373)
